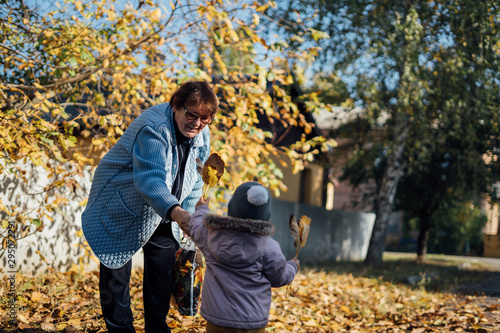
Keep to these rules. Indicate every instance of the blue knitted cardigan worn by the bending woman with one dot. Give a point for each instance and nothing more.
(130, 192)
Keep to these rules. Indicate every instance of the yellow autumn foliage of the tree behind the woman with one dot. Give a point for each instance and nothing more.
(74, 75)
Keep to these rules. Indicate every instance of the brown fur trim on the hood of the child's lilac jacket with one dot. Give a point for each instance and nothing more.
(258, 227)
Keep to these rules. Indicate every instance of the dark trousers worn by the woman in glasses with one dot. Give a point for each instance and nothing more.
(159, 262)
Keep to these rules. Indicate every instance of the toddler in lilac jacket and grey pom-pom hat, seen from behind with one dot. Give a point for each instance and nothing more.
(242, 261)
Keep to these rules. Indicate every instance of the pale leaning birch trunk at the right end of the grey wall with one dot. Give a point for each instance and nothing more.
(385, 201)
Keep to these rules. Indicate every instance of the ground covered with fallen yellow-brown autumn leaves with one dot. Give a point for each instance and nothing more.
(344, 298)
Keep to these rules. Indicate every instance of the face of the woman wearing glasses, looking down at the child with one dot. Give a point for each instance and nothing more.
(191, 120)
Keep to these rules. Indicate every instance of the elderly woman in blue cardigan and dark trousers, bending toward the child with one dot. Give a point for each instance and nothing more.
(142, 185)
